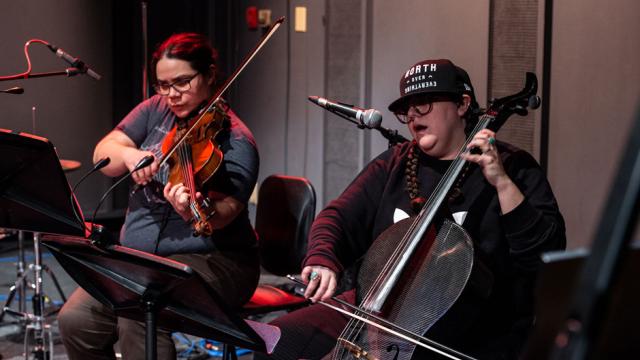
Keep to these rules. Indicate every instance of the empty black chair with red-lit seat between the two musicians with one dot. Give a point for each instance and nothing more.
(285, 211)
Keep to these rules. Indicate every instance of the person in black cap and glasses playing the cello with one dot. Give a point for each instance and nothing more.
(505, 204)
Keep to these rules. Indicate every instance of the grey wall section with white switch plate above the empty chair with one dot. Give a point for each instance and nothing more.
(271, 94)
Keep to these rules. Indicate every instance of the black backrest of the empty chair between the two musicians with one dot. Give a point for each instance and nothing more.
(285, 211)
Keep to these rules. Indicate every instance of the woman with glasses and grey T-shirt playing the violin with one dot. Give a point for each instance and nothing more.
(158, 218)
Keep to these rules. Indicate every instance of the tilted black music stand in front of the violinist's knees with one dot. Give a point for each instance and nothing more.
(158, 291)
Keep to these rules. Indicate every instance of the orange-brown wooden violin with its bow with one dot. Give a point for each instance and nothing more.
(190, 149)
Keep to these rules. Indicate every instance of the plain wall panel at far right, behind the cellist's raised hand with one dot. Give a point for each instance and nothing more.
(595, 95)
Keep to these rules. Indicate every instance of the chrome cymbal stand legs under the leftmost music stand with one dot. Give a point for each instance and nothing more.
(35, 323)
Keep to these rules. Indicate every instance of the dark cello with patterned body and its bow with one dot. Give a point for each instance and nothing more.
(405, 286)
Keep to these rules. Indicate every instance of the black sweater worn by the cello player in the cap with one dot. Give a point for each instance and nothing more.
(509, 245)
